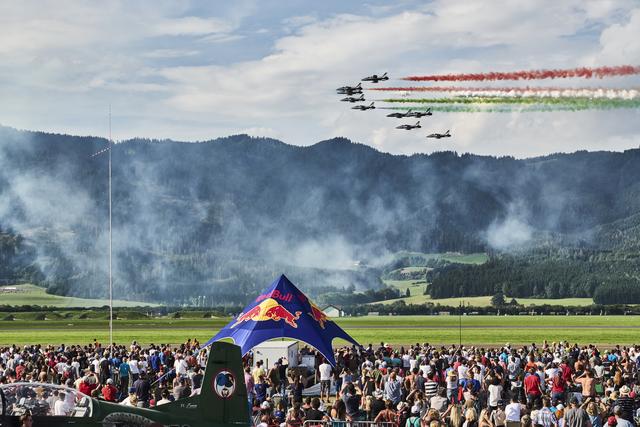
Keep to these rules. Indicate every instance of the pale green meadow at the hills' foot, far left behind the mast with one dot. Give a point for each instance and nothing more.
(35, 295)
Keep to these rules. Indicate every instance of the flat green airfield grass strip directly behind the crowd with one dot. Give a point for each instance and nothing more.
(486, 330)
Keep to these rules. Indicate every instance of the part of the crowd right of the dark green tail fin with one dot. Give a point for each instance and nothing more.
(551, 385)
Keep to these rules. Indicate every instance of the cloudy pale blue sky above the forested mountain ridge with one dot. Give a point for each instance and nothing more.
(198, 70)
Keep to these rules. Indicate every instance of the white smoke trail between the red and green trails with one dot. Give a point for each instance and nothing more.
(552, 92)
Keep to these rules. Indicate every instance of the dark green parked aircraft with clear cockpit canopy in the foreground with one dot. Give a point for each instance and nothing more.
(222, 401)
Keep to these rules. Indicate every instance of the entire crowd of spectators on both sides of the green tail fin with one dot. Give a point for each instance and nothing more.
(550, 385)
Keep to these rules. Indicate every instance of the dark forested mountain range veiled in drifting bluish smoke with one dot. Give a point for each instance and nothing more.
(224, 217)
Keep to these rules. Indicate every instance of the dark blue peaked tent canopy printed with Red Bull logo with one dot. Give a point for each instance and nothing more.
(283, 311)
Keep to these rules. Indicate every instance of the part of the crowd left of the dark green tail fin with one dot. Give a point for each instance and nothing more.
(131, 375)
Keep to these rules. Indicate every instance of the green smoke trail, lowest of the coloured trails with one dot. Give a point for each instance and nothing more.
(571, 103)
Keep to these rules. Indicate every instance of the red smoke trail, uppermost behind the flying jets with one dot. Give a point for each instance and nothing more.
(584, 72)
